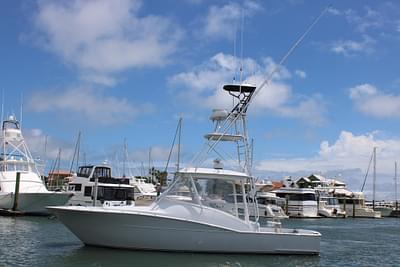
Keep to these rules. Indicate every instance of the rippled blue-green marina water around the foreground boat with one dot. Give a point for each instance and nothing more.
(38, 241)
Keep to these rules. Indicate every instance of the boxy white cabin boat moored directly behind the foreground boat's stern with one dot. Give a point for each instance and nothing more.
(300, 202)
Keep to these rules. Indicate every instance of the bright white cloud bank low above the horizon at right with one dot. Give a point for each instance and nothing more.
(349, 151)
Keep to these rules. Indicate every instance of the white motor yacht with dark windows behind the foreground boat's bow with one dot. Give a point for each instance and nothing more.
(109, 191)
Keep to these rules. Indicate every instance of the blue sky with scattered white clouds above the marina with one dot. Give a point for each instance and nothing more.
(128, 70)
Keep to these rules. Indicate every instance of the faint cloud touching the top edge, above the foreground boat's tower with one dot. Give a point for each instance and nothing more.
(224, 21)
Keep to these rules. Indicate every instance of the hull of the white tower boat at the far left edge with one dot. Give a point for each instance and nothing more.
(34, 203)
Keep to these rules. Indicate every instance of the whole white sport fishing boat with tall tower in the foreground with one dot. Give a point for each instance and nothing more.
(187, 216)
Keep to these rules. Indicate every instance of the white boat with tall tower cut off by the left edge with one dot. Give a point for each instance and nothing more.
(27, 193)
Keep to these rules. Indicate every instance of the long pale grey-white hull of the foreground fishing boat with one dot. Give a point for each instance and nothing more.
(141, 230)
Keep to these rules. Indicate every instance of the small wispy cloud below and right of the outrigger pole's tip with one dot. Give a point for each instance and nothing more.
(351, 47)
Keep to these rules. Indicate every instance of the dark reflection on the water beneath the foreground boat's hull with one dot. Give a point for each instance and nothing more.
(97, 256)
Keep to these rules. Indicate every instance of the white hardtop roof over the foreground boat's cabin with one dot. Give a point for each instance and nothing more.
(213, 173)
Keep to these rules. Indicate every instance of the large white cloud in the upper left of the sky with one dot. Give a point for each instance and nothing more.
(105, 36)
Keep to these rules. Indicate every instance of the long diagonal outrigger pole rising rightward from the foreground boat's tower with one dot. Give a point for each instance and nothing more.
(233, 117)
